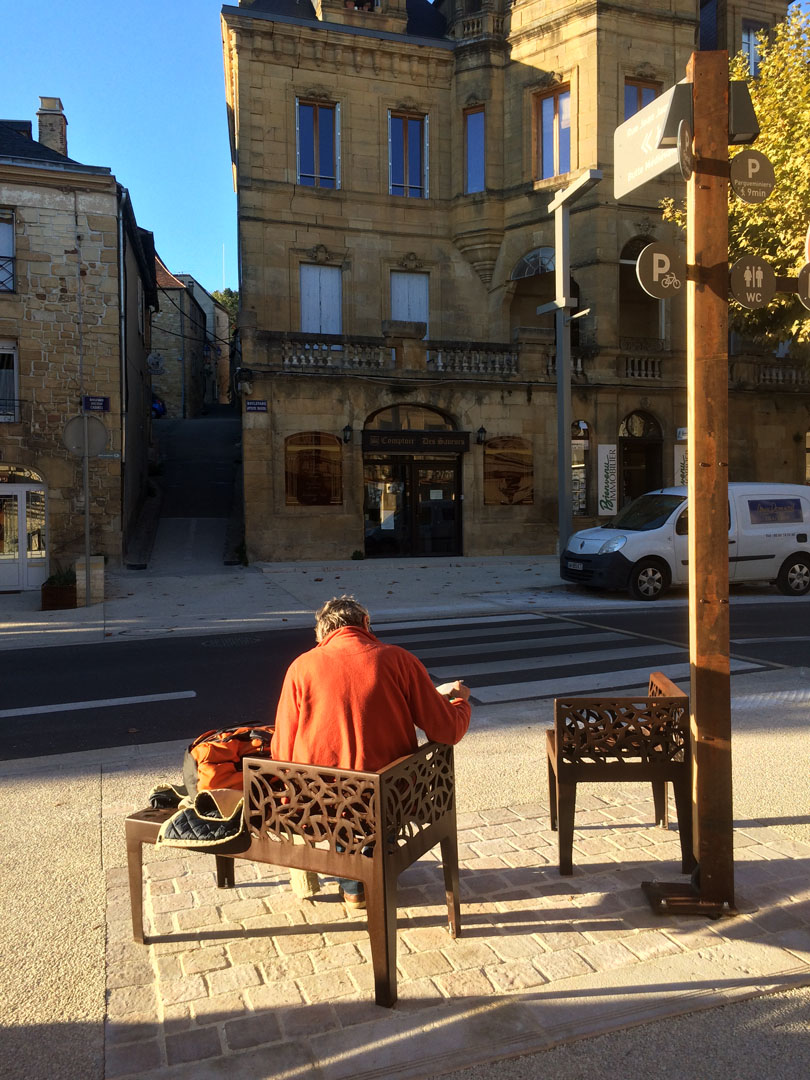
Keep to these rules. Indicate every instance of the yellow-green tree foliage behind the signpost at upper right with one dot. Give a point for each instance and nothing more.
(776, 229)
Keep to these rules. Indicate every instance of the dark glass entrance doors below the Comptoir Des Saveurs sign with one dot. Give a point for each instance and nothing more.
(412, 508)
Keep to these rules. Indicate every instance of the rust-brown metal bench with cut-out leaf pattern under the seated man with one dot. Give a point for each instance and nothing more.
(368, 827)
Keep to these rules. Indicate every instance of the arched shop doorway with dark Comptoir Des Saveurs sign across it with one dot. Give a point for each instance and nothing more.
(412, 503)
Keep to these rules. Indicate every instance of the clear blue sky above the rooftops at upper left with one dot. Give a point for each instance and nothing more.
(143, 87)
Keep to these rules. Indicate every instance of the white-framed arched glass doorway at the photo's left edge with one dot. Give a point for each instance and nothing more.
(23, 538)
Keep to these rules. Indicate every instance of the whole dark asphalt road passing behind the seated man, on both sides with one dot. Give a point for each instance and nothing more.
(154, 691)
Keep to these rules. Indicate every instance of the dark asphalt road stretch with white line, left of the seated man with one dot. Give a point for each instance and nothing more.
(180, 688)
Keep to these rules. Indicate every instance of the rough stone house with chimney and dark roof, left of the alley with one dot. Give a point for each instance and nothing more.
(77, 285)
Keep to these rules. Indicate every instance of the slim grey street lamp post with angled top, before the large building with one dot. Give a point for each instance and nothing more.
(562, 303)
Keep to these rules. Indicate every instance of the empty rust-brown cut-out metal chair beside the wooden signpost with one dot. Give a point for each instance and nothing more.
(612, 740)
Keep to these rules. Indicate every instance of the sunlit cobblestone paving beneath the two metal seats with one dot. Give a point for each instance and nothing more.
(253, 982)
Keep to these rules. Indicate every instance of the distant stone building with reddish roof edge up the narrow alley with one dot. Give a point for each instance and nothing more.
(180, 347)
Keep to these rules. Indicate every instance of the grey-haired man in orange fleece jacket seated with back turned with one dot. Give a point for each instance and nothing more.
(355, 704)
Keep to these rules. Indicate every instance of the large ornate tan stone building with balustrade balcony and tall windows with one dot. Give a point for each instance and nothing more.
(395, 163)
